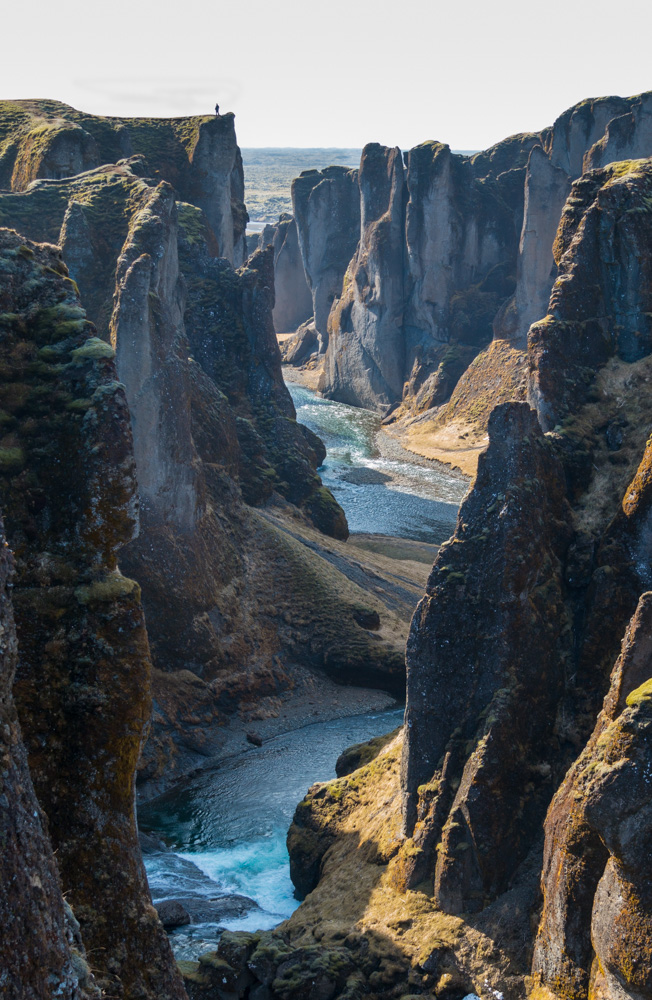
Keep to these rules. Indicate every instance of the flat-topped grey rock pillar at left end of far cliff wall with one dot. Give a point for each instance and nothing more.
(326, 207)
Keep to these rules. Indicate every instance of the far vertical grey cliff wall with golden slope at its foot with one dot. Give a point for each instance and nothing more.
(464, 260)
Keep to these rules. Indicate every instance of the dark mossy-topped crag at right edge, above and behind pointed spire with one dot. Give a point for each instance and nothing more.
(600, 300)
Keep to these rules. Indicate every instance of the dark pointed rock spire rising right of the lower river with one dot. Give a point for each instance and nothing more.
(493, 686)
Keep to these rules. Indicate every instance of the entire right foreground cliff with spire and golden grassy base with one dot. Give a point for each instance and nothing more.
(507, 781)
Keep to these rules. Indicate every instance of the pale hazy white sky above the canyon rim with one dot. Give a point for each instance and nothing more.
(333, 73)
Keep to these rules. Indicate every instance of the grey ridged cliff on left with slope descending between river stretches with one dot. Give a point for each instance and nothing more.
(215, 435)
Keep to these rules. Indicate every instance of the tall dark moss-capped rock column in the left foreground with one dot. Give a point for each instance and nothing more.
(67, 490)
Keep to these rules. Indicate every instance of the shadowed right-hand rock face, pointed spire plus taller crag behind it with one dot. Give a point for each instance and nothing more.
(513, 643)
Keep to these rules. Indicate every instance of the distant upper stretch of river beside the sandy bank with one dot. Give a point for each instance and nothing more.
(379, 495)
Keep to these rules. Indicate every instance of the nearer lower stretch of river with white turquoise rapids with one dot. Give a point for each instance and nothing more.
(227, 826)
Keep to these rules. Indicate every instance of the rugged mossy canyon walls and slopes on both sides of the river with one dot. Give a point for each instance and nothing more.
(173, 565)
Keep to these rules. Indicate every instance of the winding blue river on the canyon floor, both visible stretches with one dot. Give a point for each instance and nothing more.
(225, 828)
